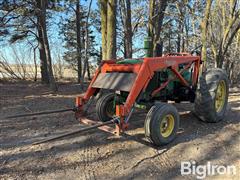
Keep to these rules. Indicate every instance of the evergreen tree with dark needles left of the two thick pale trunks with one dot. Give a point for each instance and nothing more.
(79, 40)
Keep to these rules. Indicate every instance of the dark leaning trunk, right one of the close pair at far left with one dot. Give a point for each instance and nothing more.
(43, 33)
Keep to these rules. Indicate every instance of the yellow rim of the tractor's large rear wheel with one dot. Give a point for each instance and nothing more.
(220, 96)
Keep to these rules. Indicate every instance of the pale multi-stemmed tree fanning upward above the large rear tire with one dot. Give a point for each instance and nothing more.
(225, 24)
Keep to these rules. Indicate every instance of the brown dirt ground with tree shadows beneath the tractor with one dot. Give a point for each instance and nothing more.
(99, 155)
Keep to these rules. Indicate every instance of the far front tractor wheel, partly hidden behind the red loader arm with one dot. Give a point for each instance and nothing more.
(105, 107)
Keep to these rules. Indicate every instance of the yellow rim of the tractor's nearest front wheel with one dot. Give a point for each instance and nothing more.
(167, 125)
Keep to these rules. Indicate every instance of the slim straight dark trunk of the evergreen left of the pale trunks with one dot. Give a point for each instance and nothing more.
(79, 56)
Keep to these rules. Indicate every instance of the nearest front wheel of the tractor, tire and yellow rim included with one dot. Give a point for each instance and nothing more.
(161, 124)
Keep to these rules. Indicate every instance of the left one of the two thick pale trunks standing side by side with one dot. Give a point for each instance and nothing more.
(103, 11)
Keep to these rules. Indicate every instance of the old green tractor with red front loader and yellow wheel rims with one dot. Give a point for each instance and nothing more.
(150, 82)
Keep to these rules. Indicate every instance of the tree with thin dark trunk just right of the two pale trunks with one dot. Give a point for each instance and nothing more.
(131, 27)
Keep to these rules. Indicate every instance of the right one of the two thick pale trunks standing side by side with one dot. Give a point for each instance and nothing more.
(111, 29)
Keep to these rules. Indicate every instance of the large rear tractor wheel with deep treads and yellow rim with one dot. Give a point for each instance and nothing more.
(212, 96)
